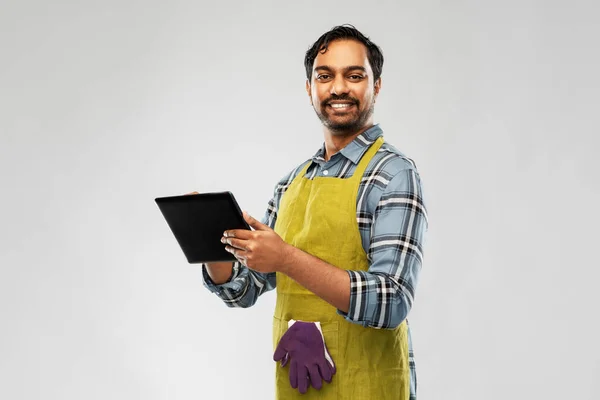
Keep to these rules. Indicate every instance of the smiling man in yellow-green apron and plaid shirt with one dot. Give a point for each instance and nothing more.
(341, 241)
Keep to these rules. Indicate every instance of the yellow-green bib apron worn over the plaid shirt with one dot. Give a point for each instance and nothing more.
(319, 217)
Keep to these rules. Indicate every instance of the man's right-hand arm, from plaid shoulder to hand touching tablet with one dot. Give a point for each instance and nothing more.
(380, 297)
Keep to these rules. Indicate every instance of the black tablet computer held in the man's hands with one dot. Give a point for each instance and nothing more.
(198, 221)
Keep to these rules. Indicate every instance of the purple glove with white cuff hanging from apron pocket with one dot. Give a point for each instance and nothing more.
(303, 345)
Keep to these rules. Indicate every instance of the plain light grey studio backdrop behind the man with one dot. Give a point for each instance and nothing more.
(106, 105)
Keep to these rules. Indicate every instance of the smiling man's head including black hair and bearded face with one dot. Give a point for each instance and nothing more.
(343, 71)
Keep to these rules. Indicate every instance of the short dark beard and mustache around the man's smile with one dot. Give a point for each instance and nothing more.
(351, 122)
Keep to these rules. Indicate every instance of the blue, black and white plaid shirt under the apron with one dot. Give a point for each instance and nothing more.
(392, 219)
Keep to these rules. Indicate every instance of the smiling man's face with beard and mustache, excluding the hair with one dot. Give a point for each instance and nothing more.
(342, 89)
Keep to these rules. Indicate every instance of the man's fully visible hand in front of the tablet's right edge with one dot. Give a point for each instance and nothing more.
(260, 249)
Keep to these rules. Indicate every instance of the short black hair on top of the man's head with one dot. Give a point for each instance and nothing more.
(349, 32)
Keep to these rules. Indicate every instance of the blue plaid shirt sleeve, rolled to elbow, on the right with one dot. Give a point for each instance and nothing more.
(383, 296)
